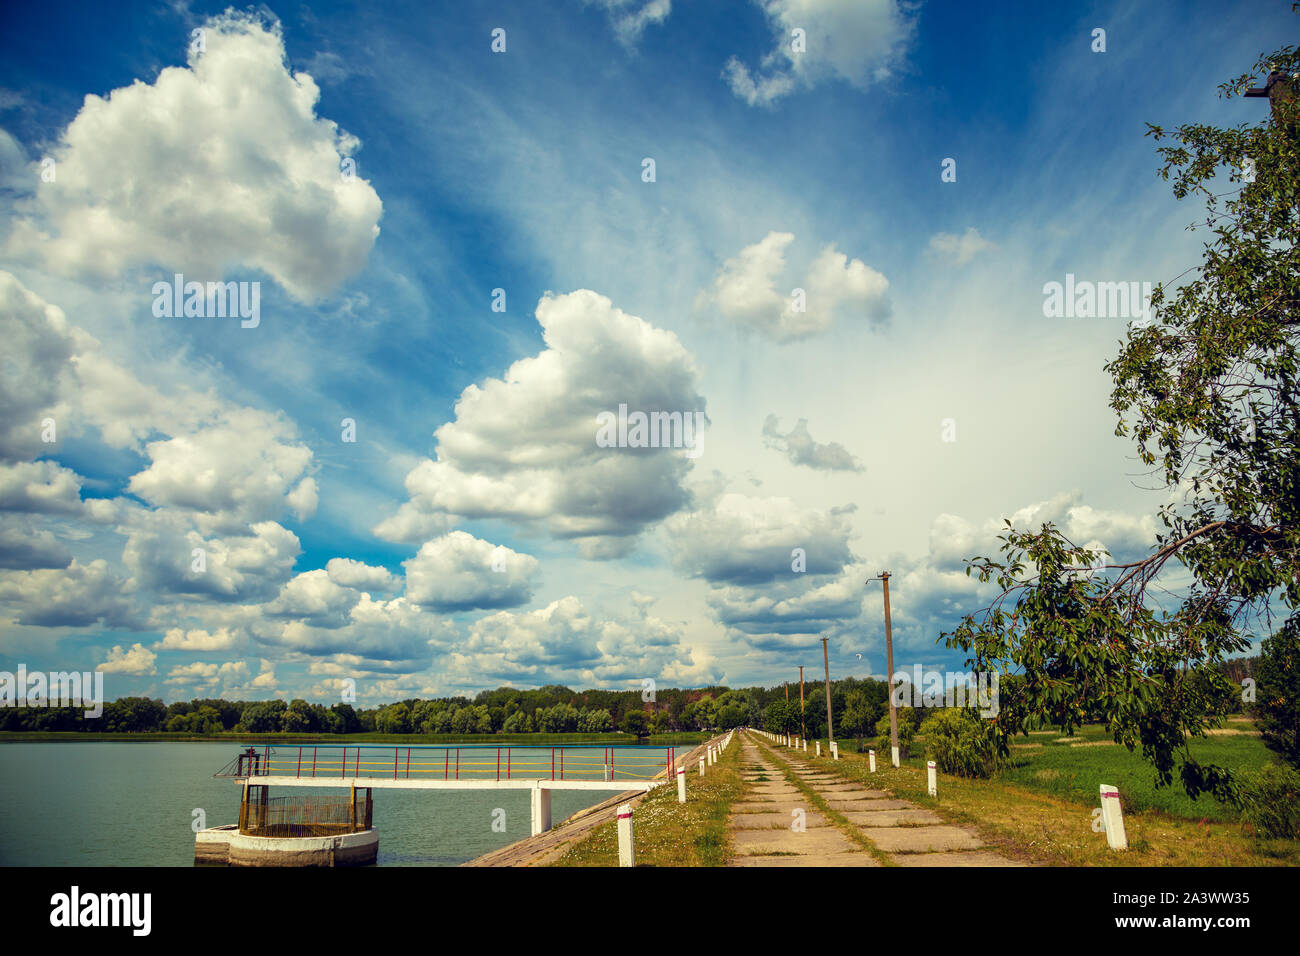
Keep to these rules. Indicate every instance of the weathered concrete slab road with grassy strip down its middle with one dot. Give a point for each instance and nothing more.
(765, 834)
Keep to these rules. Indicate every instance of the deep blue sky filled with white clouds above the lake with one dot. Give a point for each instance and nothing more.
(921, 397)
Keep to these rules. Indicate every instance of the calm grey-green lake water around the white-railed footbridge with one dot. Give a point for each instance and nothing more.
(128, 804)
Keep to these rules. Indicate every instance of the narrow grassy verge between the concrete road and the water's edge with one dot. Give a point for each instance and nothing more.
(668, 833)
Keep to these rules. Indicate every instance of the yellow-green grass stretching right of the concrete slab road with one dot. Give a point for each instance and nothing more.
(1041, 810)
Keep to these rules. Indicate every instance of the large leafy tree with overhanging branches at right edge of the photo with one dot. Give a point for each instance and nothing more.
(1210, 395)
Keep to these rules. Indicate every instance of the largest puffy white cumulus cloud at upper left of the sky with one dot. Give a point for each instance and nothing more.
(218, 166)
